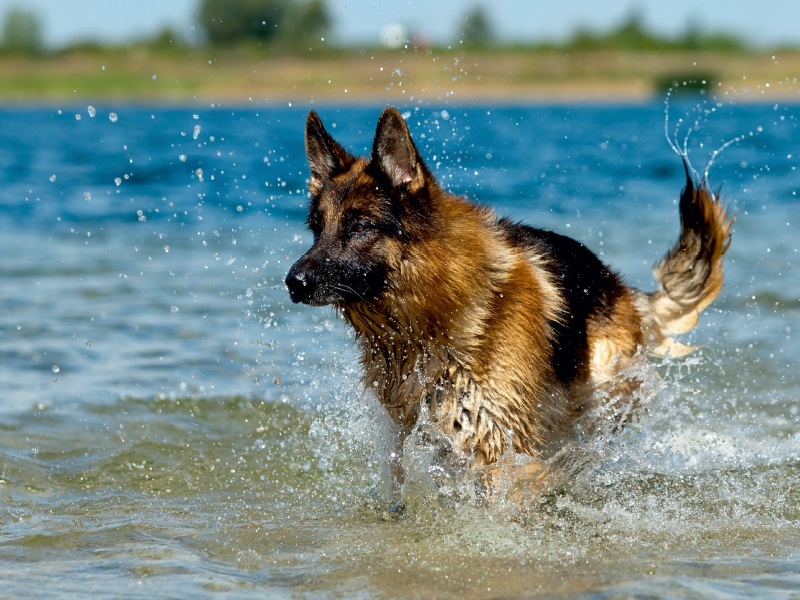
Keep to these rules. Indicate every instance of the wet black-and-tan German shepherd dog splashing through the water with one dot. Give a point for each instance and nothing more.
(504, 332)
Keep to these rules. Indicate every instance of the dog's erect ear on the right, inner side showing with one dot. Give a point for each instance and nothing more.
(395, 153)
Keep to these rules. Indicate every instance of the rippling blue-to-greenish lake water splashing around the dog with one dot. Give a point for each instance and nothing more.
(172, 426)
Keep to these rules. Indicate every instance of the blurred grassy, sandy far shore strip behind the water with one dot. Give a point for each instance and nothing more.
(145, 78)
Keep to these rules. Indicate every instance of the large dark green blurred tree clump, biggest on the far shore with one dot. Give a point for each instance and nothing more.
(281, 21)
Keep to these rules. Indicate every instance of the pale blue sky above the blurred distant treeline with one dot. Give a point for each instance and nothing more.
(764, 22)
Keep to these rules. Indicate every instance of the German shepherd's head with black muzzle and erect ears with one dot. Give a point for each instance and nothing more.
(363, 213)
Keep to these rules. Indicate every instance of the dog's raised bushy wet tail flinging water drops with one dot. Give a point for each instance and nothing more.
(690, 275)
